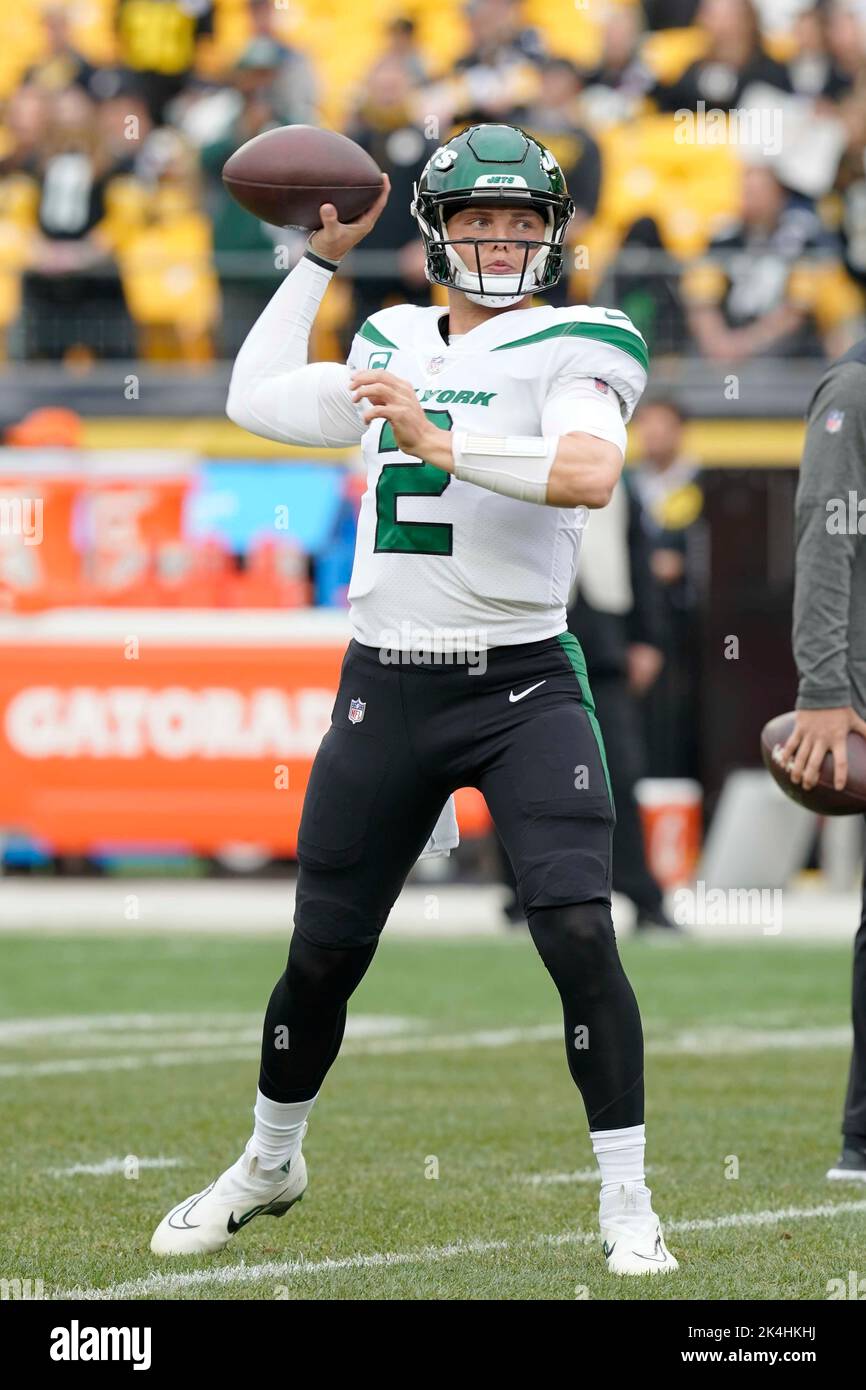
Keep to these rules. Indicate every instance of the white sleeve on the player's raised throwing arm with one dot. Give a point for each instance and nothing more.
(275, 391)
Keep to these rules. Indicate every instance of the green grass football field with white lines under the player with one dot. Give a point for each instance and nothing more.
(448, 1152)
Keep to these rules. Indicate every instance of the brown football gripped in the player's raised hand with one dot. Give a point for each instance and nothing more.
(284, 176)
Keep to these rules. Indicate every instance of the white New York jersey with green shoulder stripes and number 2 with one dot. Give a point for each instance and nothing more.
(446, 564)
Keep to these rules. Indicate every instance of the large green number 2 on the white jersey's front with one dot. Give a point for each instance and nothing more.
(416, 480)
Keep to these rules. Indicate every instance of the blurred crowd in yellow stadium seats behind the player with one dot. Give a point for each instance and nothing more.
(715, 149)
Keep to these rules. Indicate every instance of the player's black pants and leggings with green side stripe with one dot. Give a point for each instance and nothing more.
(521, 728)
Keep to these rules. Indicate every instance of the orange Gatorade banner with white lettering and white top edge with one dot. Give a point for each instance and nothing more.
(191, 730)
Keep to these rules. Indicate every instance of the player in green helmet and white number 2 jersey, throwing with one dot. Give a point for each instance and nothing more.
(490, 430)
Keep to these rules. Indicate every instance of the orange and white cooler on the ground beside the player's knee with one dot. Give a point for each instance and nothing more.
(672, 819)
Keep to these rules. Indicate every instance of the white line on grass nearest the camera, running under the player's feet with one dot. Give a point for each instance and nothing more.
(280, 1271)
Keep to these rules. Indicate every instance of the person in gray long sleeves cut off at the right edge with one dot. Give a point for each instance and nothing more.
(831, 646)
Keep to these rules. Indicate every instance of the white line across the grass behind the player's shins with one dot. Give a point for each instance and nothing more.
(219, 1049)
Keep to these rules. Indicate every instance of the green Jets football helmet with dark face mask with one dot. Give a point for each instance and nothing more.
(493, 166)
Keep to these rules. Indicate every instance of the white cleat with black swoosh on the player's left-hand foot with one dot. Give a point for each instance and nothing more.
(206, 1221)
